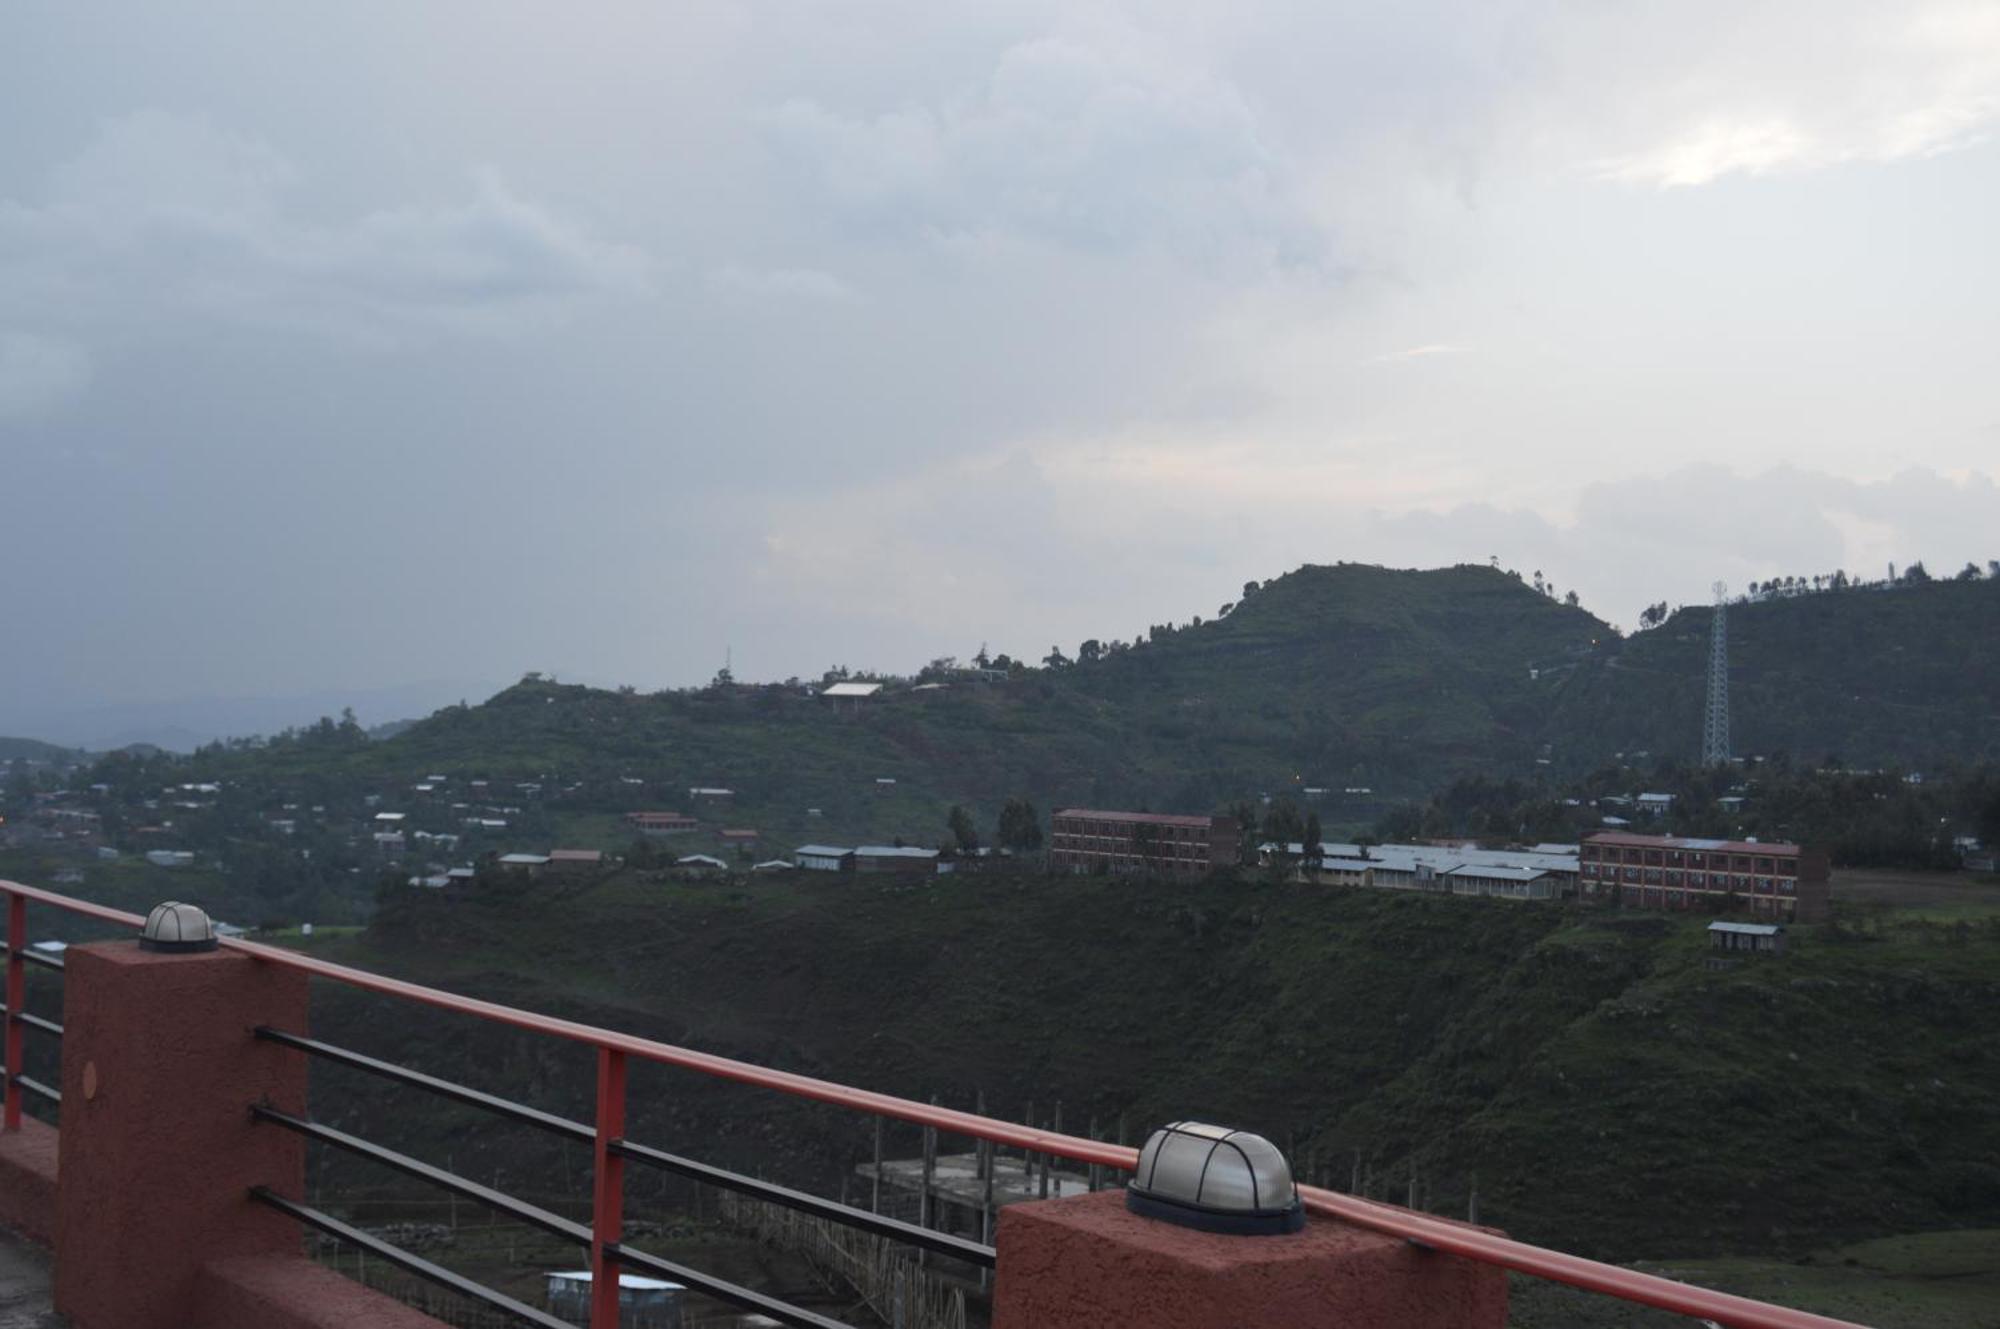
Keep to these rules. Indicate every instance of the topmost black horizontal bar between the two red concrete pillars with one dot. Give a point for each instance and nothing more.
(863, 1220)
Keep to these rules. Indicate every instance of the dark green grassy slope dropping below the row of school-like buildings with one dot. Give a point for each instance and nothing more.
(1613, 1096)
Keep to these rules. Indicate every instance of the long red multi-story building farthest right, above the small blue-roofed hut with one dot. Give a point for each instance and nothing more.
(1669, 872)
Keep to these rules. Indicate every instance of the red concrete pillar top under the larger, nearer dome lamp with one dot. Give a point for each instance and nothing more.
(1085, 1262)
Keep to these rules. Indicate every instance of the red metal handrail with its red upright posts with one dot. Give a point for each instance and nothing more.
(617, 1048)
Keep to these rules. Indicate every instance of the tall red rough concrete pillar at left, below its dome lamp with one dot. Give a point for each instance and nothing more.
(157, 1144)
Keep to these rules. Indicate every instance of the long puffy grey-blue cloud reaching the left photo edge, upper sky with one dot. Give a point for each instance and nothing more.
(177, 217)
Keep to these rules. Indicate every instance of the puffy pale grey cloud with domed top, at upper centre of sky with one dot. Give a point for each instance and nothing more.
(1091, 139)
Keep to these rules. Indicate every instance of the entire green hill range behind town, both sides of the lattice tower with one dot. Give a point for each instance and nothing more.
(1337, 678)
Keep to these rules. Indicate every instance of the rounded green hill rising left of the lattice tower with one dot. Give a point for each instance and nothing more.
(1333, 676)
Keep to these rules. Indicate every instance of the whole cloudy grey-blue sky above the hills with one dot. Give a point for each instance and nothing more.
(365, 345)
